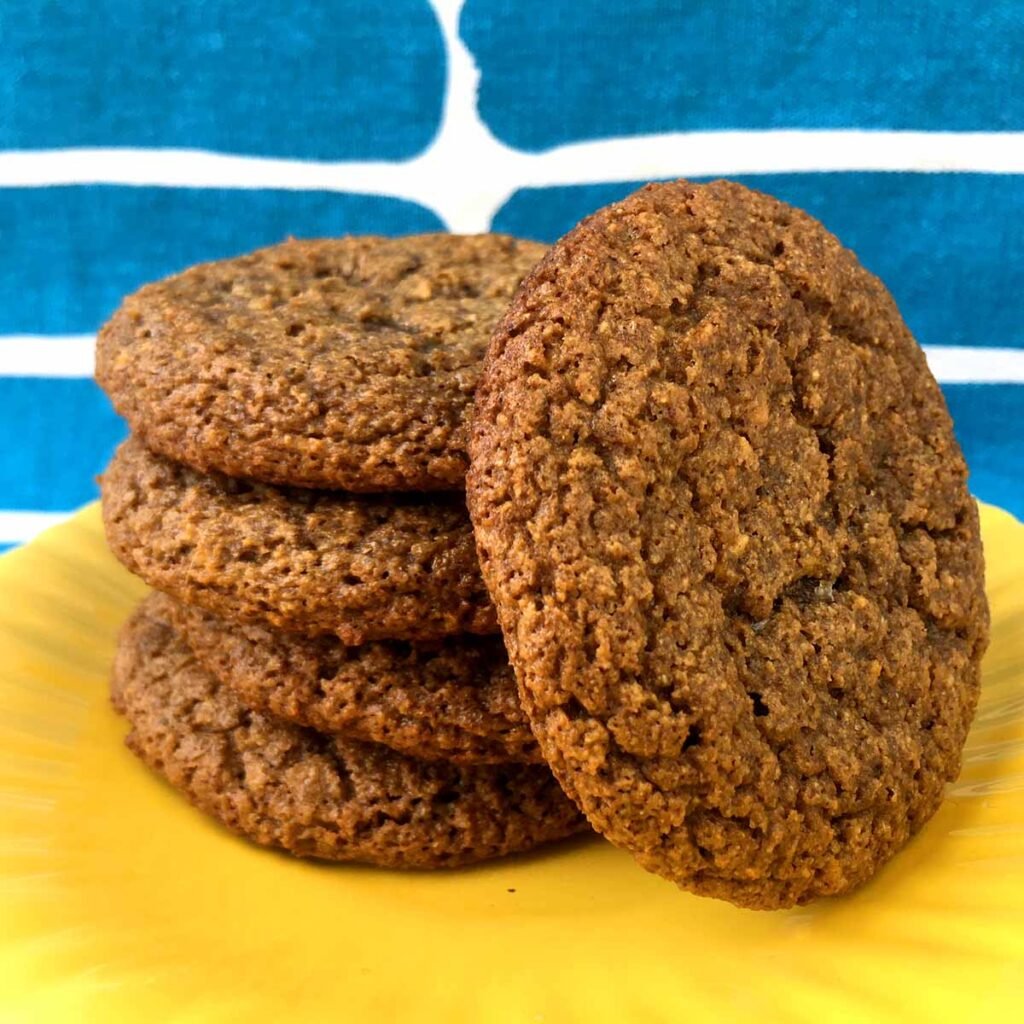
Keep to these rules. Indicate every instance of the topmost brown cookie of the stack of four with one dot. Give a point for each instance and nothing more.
(340, 363)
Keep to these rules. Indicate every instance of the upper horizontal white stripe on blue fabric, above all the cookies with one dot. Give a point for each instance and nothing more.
(627, 159)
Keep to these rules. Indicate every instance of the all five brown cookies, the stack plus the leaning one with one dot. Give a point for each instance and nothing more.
(716, 500)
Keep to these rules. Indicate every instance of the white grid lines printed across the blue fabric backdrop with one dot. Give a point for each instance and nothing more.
(467, 175)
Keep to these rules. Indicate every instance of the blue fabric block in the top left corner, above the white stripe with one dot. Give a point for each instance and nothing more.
(278, 78)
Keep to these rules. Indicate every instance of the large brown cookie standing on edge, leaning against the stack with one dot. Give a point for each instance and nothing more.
(722, 514)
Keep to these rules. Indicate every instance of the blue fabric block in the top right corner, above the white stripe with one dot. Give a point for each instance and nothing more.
(559, 72)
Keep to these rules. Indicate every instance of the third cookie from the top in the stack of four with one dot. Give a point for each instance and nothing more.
(455, 700)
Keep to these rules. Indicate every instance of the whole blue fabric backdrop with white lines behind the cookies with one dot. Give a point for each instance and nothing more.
(139, 137)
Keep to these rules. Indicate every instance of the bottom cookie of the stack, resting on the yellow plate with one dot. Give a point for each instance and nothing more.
(320, 796)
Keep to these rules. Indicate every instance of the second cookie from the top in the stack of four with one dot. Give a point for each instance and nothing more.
(310, 562)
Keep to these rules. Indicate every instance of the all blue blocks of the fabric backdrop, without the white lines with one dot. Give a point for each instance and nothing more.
(350, 80)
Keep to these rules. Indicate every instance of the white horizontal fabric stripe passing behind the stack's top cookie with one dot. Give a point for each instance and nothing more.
(72, 356)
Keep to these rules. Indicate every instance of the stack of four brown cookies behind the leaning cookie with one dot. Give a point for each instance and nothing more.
(319, 665)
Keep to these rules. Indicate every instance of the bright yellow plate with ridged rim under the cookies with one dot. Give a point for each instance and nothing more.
(118, 903)
